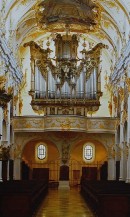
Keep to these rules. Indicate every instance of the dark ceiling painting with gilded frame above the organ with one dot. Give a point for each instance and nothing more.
(83, 13)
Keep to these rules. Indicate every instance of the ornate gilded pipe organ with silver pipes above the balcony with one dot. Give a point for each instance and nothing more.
(65, 84)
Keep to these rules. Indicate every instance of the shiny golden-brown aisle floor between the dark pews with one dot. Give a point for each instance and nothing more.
(63, 203)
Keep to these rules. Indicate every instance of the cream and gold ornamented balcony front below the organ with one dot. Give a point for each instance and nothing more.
(64, 123)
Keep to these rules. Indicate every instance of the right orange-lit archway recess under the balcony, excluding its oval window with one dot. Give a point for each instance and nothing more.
(94, 169)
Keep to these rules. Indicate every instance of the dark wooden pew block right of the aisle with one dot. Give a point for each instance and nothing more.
(107, 198)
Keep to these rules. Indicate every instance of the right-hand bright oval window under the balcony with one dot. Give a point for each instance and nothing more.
(89, 152)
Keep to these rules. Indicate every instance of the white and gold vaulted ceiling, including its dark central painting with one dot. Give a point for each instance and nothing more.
(96, 20)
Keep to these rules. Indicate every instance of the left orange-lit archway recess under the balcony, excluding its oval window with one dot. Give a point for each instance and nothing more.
(35, 168)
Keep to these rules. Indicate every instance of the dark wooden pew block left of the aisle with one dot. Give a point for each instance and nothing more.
(21, 198)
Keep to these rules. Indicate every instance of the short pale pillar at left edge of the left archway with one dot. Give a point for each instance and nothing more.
(17, 168)
